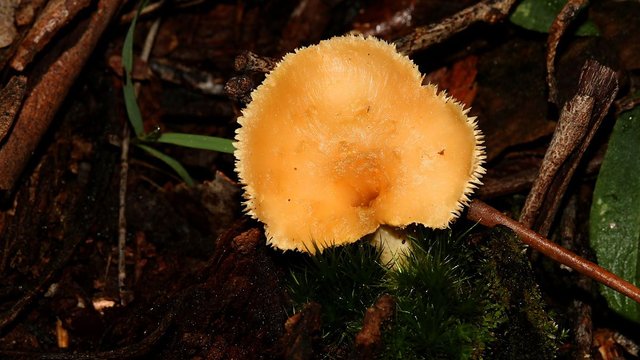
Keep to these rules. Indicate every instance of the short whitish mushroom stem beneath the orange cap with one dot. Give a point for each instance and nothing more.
(393, 244)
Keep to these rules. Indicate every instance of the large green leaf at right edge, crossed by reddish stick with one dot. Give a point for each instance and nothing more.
(615, 210)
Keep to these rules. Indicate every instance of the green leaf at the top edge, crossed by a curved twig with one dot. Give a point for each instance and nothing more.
(538, 15)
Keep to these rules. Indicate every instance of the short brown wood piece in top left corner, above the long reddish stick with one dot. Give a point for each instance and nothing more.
(55, 16)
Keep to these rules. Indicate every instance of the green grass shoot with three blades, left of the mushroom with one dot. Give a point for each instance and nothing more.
(143, 140)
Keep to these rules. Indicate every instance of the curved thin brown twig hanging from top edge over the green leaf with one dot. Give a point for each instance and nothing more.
(557, 30)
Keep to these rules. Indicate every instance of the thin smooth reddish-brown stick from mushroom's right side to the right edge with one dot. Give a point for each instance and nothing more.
(490, 217)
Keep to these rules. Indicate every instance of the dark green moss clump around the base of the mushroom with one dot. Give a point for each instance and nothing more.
(454, 300)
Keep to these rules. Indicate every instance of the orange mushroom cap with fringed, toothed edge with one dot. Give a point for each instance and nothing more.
(342, 139)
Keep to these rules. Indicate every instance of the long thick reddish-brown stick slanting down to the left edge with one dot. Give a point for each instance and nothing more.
(48, 93)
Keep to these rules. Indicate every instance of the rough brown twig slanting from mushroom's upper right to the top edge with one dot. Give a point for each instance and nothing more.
(490, 11)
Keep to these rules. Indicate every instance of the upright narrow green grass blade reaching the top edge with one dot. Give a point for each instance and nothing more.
(131, 104)
